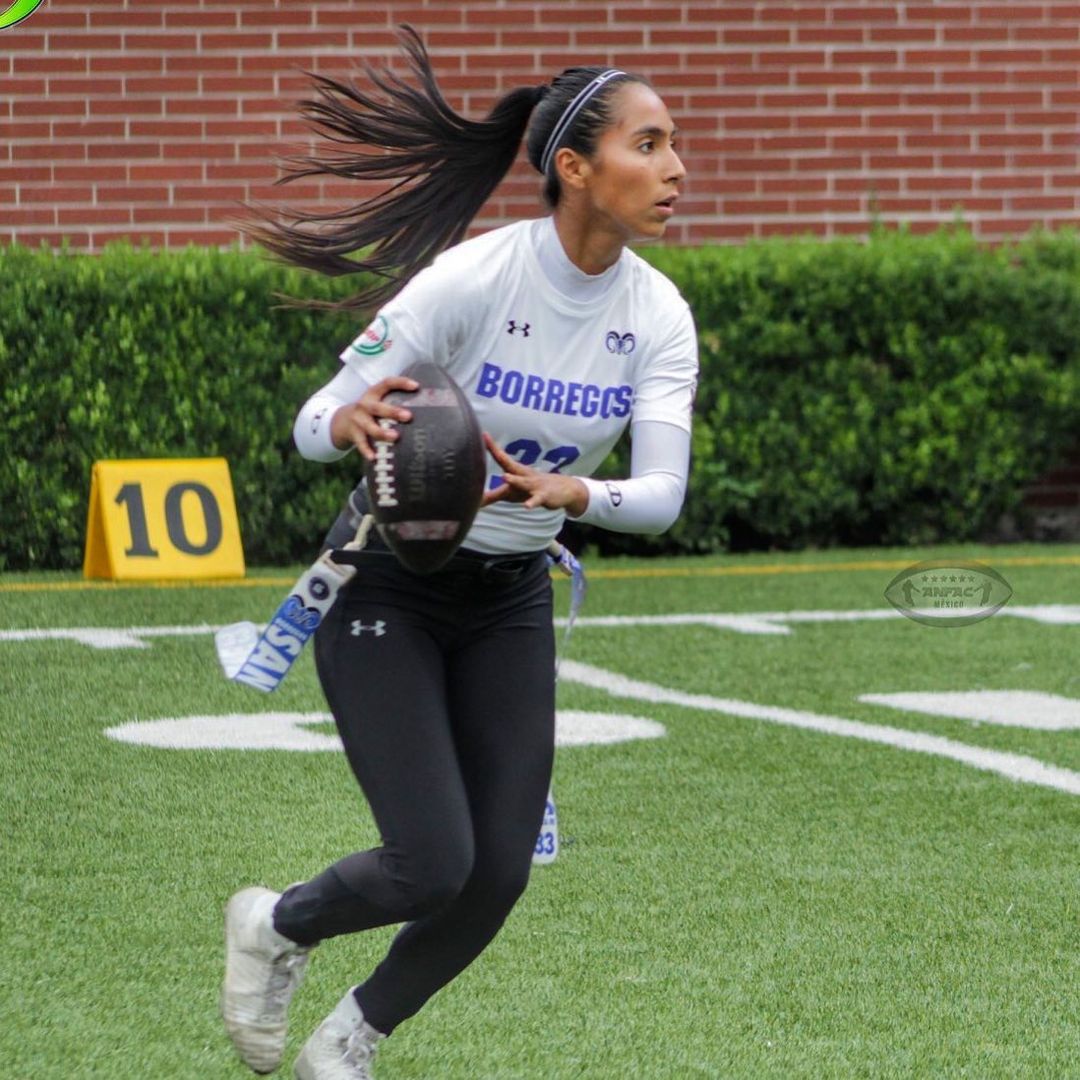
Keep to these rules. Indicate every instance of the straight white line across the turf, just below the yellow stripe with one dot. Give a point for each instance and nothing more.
(751, 623)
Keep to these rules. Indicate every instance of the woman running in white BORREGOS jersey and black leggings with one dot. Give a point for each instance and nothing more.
(443, 686)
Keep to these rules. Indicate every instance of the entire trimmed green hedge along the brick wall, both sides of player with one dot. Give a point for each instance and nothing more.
(899, 391)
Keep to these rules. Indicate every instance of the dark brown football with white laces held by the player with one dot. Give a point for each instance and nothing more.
(426, 488)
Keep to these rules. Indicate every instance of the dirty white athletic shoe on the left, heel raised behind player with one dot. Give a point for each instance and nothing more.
(263, 969)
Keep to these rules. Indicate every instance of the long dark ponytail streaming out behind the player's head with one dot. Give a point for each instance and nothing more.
(442, 169)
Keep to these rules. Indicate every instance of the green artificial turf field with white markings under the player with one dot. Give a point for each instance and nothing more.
(785, 881)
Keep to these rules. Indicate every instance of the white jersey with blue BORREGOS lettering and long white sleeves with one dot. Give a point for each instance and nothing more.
(556, 363)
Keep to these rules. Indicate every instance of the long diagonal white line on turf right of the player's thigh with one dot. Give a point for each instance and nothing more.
(1014, 766)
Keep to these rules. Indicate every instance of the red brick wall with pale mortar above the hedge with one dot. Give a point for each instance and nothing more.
(152, 119)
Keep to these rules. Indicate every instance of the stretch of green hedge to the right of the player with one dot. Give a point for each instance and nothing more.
(900, 391)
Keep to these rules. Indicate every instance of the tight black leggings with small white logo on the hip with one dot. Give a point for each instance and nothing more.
(443, 688)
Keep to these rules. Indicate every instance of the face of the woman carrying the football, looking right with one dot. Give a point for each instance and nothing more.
(633, 179)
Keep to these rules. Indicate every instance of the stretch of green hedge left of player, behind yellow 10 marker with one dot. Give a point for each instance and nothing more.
(143, 355)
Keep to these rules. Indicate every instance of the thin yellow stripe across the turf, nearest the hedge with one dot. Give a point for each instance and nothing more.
(671, 572)
